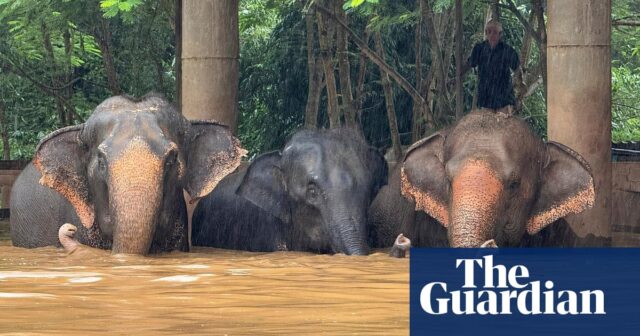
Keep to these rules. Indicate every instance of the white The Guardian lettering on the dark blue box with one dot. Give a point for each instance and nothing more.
(501, 288)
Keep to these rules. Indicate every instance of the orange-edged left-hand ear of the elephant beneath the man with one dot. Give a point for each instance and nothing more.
(423, 177)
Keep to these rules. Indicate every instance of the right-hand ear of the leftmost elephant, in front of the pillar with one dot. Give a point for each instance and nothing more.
(213, 152)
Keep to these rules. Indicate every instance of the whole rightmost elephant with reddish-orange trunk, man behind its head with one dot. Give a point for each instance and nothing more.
(486, 177)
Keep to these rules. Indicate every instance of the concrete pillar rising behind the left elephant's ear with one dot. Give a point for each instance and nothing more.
(210, 60)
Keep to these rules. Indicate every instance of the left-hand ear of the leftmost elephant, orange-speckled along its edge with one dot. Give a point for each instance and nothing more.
(60, 159)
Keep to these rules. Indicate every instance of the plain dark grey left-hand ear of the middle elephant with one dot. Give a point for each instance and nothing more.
(264, 185)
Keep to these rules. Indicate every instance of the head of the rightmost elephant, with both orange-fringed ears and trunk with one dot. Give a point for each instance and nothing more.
(490, 177)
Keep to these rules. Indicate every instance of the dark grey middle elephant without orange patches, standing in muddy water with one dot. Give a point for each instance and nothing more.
(312, 196)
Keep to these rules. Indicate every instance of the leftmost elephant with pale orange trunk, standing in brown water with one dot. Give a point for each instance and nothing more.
(121, 175)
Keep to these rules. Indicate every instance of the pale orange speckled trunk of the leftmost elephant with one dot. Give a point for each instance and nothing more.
(135, 198)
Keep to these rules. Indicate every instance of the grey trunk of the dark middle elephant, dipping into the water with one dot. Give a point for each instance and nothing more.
(347, 231)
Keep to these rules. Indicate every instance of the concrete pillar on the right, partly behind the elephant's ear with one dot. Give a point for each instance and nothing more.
(579, 96)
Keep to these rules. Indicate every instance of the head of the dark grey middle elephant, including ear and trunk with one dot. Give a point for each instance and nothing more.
(320, 186)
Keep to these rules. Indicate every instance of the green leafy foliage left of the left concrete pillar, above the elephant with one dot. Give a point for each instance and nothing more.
(40, 71)
